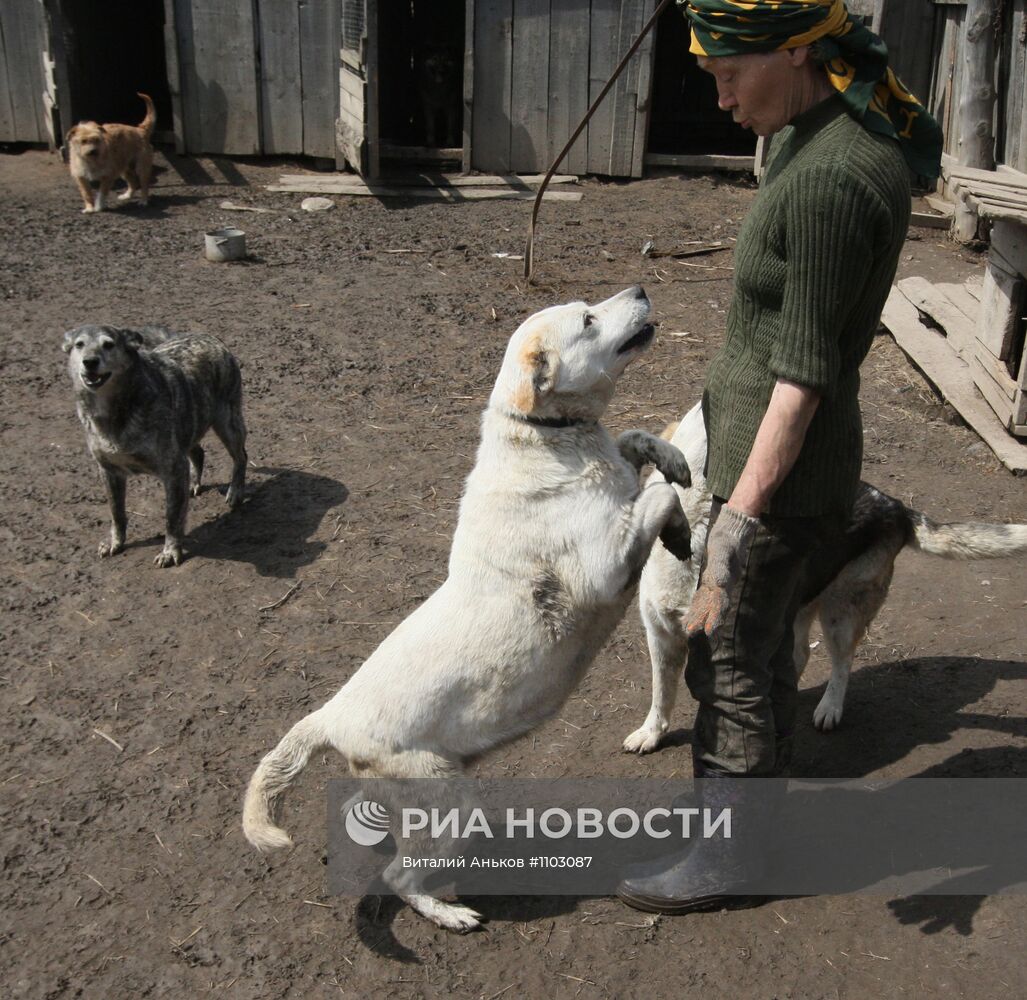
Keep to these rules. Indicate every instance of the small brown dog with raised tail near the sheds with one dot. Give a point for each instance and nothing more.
(100, 155)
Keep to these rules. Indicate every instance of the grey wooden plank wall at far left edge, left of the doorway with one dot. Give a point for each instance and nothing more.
(23, 82)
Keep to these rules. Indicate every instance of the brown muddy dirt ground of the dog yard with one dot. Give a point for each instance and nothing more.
(137, 702)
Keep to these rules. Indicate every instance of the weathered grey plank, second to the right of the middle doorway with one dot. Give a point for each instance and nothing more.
(529, 86)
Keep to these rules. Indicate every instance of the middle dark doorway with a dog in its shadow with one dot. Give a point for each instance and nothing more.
(421, 54)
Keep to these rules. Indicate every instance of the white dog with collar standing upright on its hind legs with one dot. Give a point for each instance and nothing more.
(553, 534)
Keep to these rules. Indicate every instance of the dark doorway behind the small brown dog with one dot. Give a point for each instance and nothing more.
(112, 50)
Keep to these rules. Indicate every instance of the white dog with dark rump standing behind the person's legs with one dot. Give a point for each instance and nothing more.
(845, 591)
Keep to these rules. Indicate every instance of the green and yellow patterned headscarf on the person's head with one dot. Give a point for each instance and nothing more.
(856, 61)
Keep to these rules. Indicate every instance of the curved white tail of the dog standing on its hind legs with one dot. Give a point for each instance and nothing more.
(275, 774)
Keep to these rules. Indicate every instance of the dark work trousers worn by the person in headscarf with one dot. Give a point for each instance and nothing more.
(745, 680)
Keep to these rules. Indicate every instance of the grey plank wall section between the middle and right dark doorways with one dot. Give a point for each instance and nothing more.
(538, 66)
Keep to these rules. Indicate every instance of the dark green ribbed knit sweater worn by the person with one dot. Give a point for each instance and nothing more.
(814, 265)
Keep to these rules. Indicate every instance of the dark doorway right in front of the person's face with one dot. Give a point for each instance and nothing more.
(686, 120)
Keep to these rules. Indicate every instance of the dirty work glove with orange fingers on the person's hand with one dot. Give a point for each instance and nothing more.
(728, 555)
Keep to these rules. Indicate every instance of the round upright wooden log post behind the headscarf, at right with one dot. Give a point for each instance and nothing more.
(977, 105)
